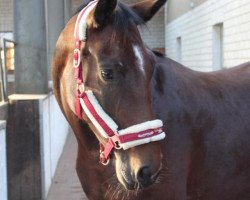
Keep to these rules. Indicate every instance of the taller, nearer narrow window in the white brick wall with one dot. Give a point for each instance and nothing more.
(218, 46)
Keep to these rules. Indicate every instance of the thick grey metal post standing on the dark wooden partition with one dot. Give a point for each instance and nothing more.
(31, 75)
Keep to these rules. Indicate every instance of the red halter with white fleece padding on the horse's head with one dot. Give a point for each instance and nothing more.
(86, 102)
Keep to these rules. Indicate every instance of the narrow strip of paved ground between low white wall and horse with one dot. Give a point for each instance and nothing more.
(66, 185)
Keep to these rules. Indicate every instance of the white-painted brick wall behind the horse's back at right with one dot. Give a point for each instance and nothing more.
(195, 29)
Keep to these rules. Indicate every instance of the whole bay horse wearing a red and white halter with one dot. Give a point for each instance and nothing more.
(206, 116)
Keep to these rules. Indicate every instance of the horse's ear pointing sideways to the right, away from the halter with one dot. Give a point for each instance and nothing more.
(147, 8)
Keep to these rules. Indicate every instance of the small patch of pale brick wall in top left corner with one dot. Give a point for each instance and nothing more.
(6, 16)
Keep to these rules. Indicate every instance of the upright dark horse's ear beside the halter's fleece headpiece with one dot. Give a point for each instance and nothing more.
(102, 12)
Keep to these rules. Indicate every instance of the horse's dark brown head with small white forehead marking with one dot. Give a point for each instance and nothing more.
(117, 68)
